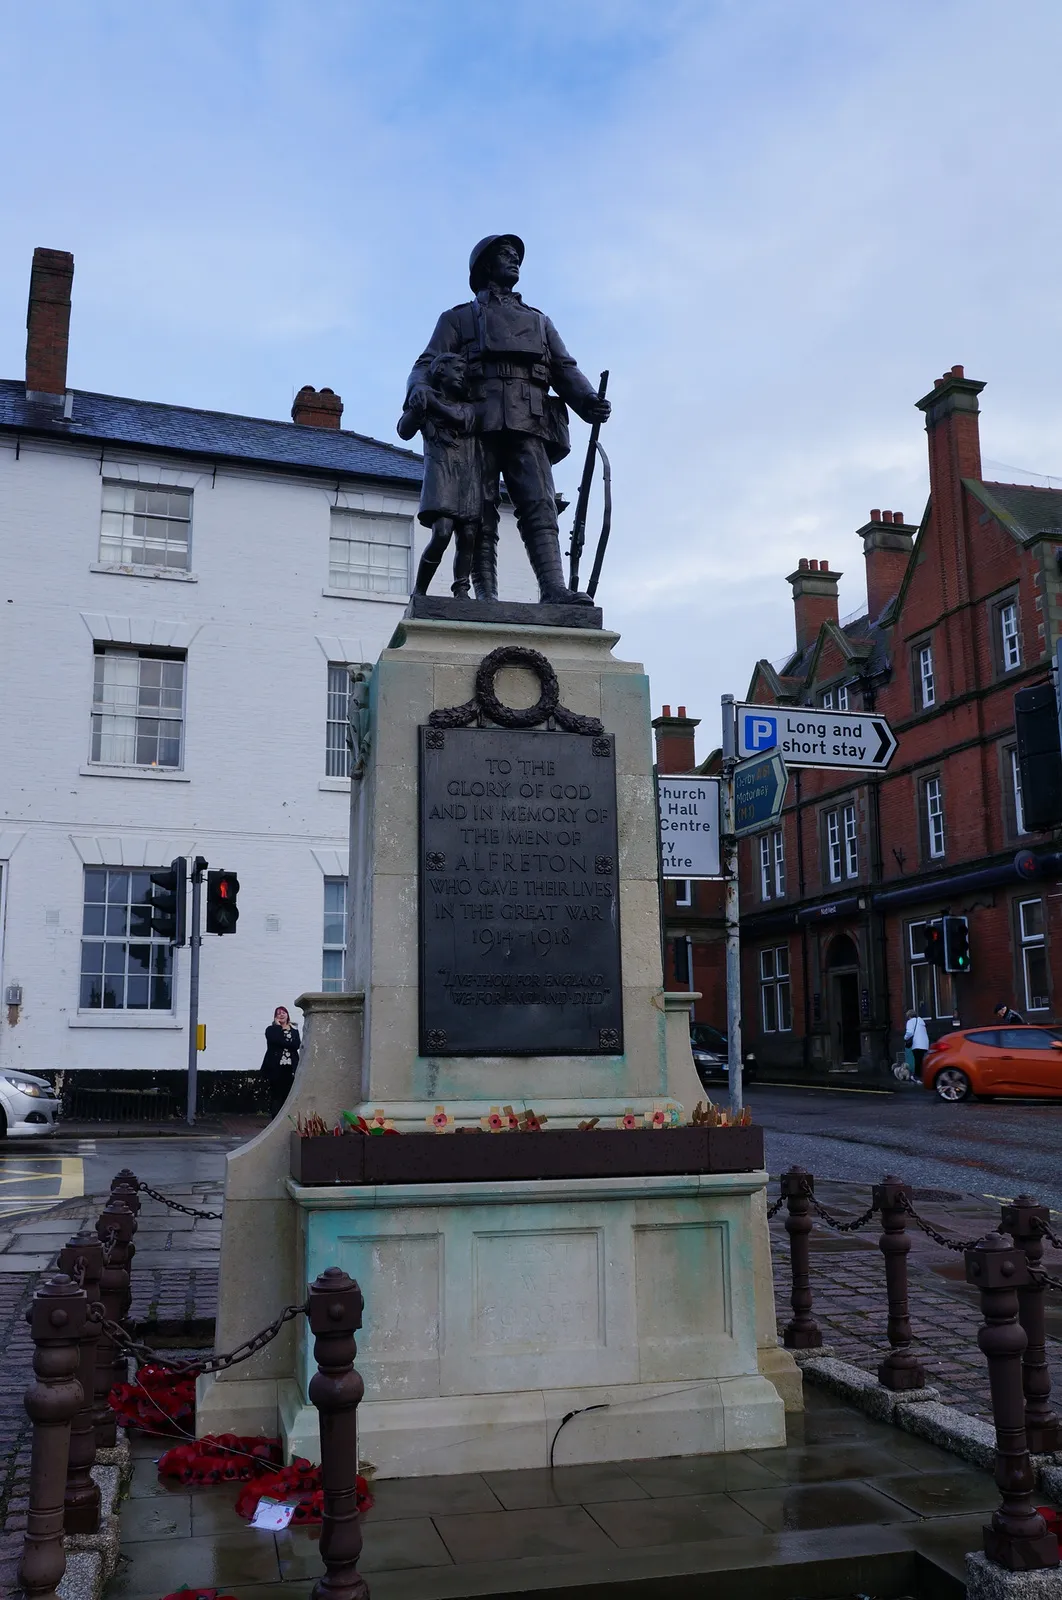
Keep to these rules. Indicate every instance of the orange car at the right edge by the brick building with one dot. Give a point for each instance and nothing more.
(996, 1062)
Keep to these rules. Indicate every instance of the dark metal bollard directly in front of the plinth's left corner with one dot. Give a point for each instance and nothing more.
(337, 1391)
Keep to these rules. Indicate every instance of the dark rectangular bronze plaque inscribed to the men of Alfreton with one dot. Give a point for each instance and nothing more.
(519, 895)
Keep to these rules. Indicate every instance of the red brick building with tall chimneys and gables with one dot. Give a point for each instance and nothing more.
(964, 610)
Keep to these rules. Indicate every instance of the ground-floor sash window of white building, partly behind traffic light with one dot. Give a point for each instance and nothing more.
(162, 962)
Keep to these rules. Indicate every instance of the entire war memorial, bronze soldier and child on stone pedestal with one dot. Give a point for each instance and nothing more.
(601, 1263)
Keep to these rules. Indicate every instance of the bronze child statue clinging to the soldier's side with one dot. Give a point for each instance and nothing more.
(452, 495)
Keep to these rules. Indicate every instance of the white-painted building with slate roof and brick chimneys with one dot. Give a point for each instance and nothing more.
(182, 594)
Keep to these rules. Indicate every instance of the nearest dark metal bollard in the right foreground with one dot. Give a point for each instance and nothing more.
(1018, 1537)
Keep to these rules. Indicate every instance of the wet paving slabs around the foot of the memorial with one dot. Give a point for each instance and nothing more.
(852, 1495)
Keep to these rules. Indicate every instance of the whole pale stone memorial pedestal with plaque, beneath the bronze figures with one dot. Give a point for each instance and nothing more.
(505, 943)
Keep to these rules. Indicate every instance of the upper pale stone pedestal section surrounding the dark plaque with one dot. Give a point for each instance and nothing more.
(431, 666)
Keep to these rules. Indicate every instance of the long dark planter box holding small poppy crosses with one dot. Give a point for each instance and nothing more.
(492, 1158)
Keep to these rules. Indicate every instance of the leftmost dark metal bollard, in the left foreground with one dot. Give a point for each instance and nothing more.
(57, 1321)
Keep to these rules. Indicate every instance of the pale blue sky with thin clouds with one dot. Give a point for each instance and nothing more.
(775, 222)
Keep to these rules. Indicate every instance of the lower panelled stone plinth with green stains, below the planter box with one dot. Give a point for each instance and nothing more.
(495, 1310)
